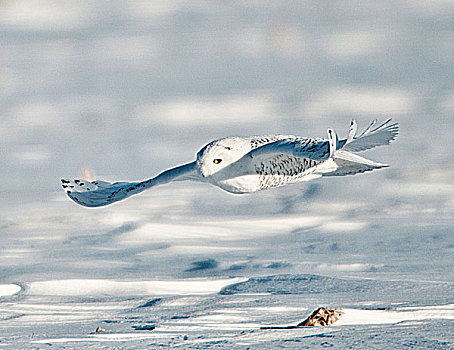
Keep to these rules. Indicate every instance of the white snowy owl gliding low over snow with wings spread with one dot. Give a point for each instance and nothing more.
(250, 164)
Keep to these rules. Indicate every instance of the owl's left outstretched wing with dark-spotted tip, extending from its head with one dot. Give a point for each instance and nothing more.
(100, 193)
